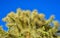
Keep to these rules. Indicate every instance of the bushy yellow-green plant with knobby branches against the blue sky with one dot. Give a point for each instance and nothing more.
(27, 24)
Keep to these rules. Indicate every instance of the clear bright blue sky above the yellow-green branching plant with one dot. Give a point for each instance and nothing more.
(48, 7)
